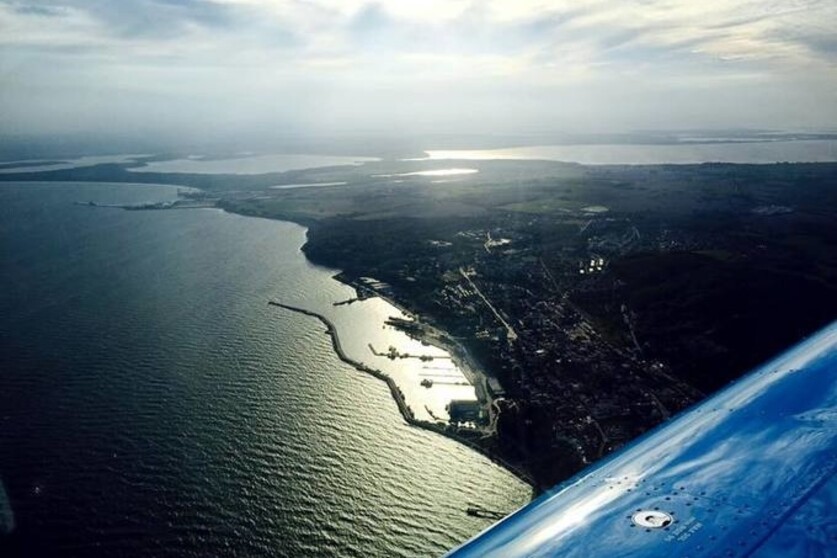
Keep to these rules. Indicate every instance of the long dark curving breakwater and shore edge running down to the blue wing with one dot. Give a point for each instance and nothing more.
(398, 396)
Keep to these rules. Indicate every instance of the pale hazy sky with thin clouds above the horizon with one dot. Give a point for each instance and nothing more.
(226, 66)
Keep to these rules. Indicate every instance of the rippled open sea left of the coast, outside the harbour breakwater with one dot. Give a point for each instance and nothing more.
(152, 404)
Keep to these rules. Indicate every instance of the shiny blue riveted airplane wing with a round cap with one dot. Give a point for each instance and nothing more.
(749, 472)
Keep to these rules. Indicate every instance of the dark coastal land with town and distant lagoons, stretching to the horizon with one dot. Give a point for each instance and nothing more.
(599, 300)
